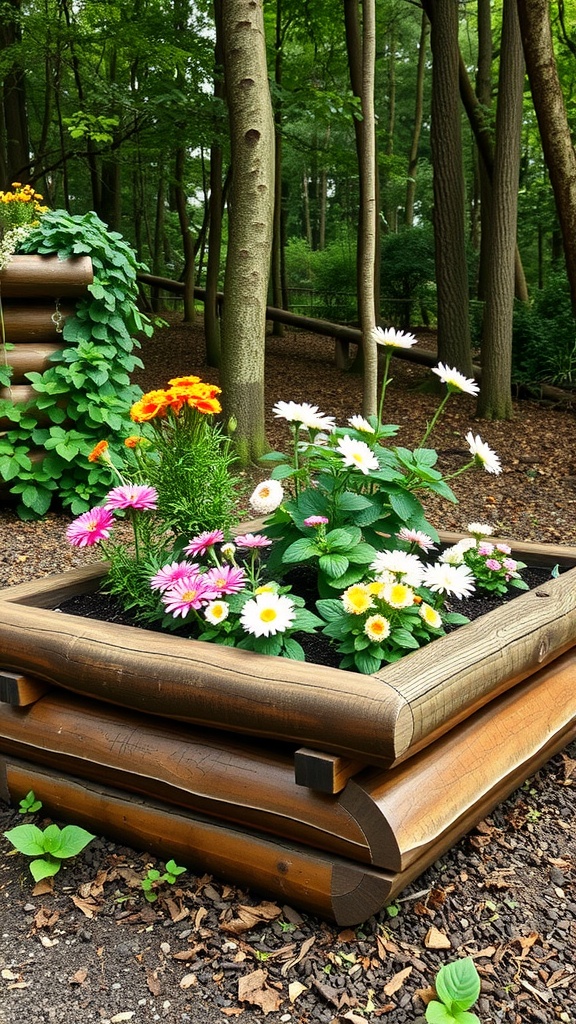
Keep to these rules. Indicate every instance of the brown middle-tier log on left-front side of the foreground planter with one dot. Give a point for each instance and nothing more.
(209, 773)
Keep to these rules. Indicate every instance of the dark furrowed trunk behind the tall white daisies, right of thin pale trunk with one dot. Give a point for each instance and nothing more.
(454, 324)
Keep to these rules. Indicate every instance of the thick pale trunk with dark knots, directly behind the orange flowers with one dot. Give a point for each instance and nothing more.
(251, 224)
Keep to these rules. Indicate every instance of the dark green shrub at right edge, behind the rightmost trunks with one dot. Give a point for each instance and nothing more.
(545, 337)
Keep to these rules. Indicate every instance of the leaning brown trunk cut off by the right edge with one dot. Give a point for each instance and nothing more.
(553, 121)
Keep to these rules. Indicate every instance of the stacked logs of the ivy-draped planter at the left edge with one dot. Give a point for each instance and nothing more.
(38, 294)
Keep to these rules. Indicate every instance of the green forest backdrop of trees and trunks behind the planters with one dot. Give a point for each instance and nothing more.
(364, 162)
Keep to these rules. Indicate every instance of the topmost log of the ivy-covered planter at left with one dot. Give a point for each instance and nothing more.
(46, 277)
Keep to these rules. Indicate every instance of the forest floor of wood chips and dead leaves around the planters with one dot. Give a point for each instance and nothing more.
(93, 950)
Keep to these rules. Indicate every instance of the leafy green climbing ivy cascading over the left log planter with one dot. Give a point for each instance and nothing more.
(87, 393)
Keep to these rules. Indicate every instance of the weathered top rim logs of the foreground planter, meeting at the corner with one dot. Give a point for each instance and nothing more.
(379, 719)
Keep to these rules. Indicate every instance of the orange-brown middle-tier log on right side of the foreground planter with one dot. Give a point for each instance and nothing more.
(417, 812)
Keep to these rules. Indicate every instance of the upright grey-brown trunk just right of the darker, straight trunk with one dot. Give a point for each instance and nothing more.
(496, 402)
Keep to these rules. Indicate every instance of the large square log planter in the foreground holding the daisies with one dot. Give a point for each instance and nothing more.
(321, 788)
